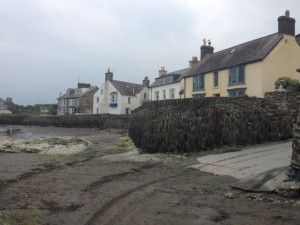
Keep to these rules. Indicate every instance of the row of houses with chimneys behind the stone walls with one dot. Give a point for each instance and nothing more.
(249, 68)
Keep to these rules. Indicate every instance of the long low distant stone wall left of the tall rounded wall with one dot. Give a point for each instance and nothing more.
(91, 121)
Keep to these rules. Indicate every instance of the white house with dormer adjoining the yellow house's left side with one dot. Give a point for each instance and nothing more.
(170, 85)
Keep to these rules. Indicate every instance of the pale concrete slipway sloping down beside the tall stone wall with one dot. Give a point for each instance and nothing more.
(259, 167)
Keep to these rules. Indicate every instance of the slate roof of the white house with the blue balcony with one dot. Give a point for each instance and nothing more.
(128, 89)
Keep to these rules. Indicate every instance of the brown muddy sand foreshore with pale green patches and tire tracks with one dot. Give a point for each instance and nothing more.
(88, 177)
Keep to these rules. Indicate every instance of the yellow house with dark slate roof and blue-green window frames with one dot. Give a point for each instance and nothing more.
(250, 68)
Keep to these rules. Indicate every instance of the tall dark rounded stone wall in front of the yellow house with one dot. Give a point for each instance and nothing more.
(193, 125)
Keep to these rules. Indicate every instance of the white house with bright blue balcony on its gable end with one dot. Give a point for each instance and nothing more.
(119, 97)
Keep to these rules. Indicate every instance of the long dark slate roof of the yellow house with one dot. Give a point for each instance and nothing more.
(248, 52)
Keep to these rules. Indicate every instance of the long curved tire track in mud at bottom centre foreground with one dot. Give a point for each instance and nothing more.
(98, 214)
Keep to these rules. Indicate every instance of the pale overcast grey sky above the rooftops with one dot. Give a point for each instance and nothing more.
(47, 46)
